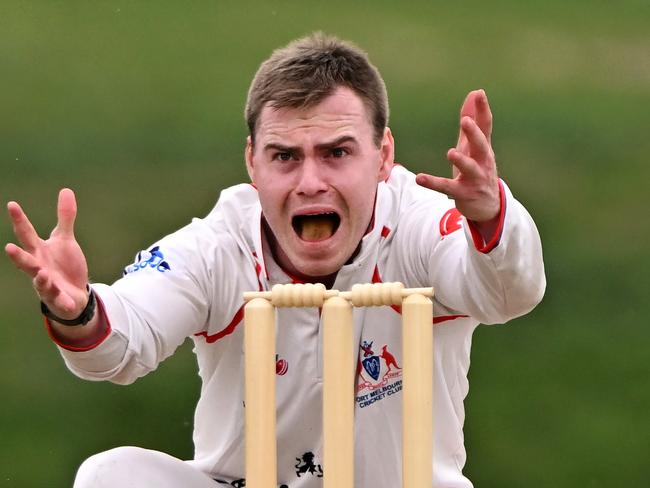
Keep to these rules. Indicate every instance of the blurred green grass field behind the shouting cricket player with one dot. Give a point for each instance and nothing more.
(138, 106)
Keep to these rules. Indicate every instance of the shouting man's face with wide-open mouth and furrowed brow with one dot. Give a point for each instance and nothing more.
(316, 171)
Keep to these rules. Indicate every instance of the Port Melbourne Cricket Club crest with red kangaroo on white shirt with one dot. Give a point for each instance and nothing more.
(379, 374)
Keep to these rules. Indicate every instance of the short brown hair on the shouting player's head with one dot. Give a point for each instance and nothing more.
(308, 70)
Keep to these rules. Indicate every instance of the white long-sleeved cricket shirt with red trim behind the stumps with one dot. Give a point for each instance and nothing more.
(190, 284)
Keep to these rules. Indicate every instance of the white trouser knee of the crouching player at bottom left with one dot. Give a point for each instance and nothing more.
(134, 467)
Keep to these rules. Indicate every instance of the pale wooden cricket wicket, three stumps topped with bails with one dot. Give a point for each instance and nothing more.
(339, 356)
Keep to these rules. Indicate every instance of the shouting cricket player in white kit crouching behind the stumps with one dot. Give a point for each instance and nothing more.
(326, 203)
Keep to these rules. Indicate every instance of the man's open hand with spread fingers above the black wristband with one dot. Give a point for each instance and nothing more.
(57, 265)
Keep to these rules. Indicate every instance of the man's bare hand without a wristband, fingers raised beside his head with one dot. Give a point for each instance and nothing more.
(475, 184)
